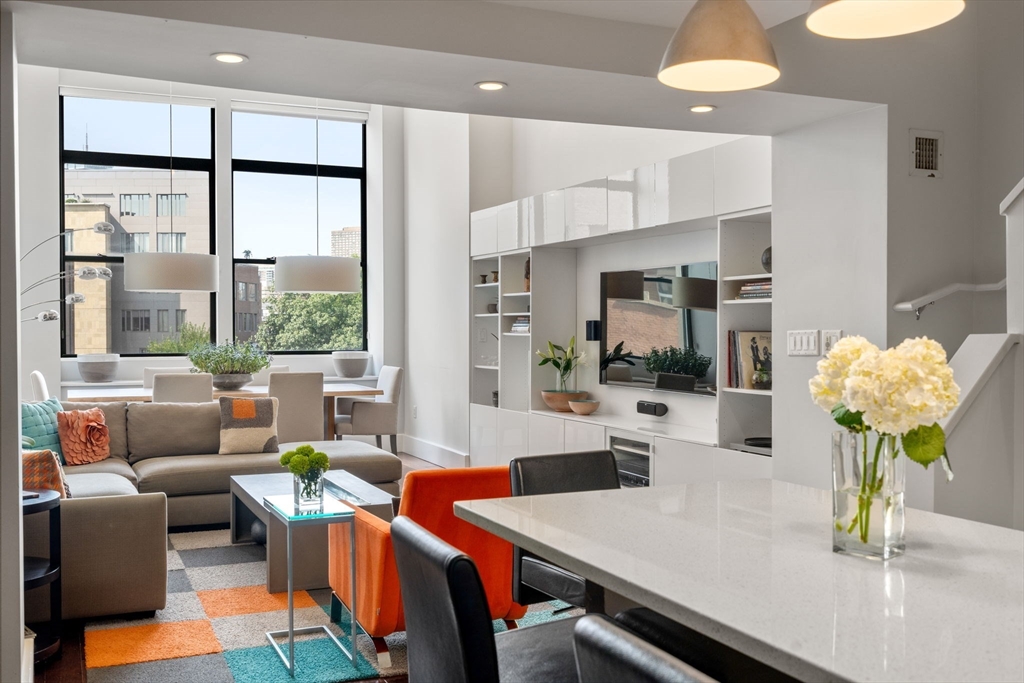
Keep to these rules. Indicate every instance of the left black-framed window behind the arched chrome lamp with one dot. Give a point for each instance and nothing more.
(114, 178)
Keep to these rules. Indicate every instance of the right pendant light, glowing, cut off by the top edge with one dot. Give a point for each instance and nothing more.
(879, 19)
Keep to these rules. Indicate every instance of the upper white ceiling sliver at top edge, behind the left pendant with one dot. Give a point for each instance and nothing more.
(669, 14)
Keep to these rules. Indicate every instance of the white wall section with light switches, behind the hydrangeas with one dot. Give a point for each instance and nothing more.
(830, 264)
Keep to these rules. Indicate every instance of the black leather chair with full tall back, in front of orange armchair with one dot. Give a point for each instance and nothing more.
(450, 636)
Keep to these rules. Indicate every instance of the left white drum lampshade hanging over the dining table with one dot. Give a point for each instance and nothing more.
(162, 272)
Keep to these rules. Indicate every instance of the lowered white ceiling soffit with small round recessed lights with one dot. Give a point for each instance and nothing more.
(358, 52)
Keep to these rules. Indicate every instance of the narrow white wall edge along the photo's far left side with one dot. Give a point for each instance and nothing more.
(12, 606)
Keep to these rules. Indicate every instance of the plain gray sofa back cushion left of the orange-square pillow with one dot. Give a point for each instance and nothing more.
(173, 430)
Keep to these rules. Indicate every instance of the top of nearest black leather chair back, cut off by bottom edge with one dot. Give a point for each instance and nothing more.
(607, 653)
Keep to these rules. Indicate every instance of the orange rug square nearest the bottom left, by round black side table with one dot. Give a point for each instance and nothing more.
(112, 648)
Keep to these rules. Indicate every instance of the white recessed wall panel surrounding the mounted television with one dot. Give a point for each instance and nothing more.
(700, 412)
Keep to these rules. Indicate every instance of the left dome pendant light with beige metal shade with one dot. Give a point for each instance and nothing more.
(720, 47)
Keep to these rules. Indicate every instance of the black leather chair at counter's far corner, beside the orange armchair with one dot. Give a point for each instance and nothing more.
(534, 579)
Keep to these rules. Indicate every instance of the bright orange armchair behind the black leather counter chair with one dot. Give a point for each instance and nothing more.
(429, 497)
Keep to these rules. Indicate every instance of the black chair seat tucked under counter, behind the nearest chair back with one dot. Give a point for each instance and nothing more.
(718, 661)
